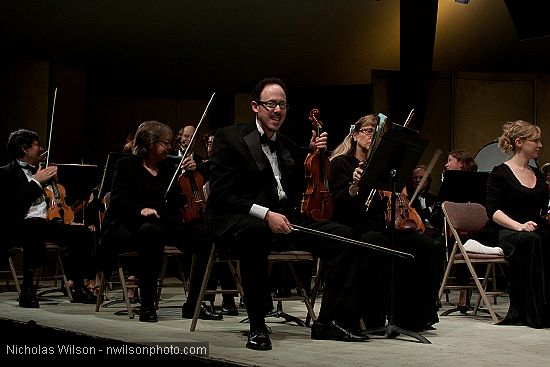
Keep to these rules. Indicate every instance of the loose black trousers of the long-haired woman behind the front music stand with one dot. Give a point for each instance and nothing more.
(415, 282)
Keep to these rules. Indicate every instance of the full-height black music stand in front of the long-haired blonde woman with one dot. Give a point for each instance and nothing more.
(389, 167)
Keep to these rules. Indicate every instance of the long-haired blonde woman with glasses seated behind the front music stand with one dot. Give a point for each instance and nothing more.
(416, 281)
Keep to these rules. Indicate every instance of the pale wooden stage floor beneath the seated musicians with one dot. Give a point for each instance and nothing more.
(457, 341)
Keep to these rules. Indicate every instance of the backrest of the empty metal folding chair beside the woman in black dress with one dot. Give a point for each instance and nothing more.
(465, 217)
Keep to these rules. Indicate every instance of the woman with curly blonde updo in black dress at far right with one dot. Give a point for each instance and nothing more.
(517, 199)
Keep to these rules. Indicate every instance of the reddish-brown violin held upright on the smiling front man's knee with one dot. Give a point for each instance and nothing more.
(317, 199)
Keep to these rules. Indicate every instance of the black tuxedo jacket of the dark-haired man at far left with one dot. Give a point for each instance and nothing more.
(18, 196)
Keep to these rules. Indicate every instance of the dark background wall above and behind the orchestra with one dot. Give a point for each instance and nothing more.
(117, 64)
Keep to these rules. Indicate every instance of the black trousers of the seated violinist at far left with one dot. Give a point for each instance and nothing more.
(79, 242)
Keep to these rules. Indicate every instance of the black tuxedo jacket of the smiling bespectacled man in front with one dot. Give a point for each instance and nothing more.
(241, 175)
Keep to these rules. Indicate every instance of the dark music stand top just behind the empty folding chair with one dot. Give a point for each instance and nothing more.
(464, 187)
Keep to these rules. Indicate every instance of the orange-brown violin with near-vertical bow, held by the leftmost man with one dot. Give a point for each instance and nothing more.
(58, 210)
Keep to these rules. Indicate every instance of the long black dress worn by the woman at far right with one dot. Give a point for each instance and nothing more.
(528, 253)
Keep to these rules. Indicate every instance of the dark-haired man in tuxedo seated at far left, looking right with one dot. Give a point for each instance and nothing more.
(27, 221)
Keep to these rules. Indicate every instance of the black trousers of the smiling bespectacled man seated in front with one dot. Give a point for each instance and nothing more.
(254, 240)
